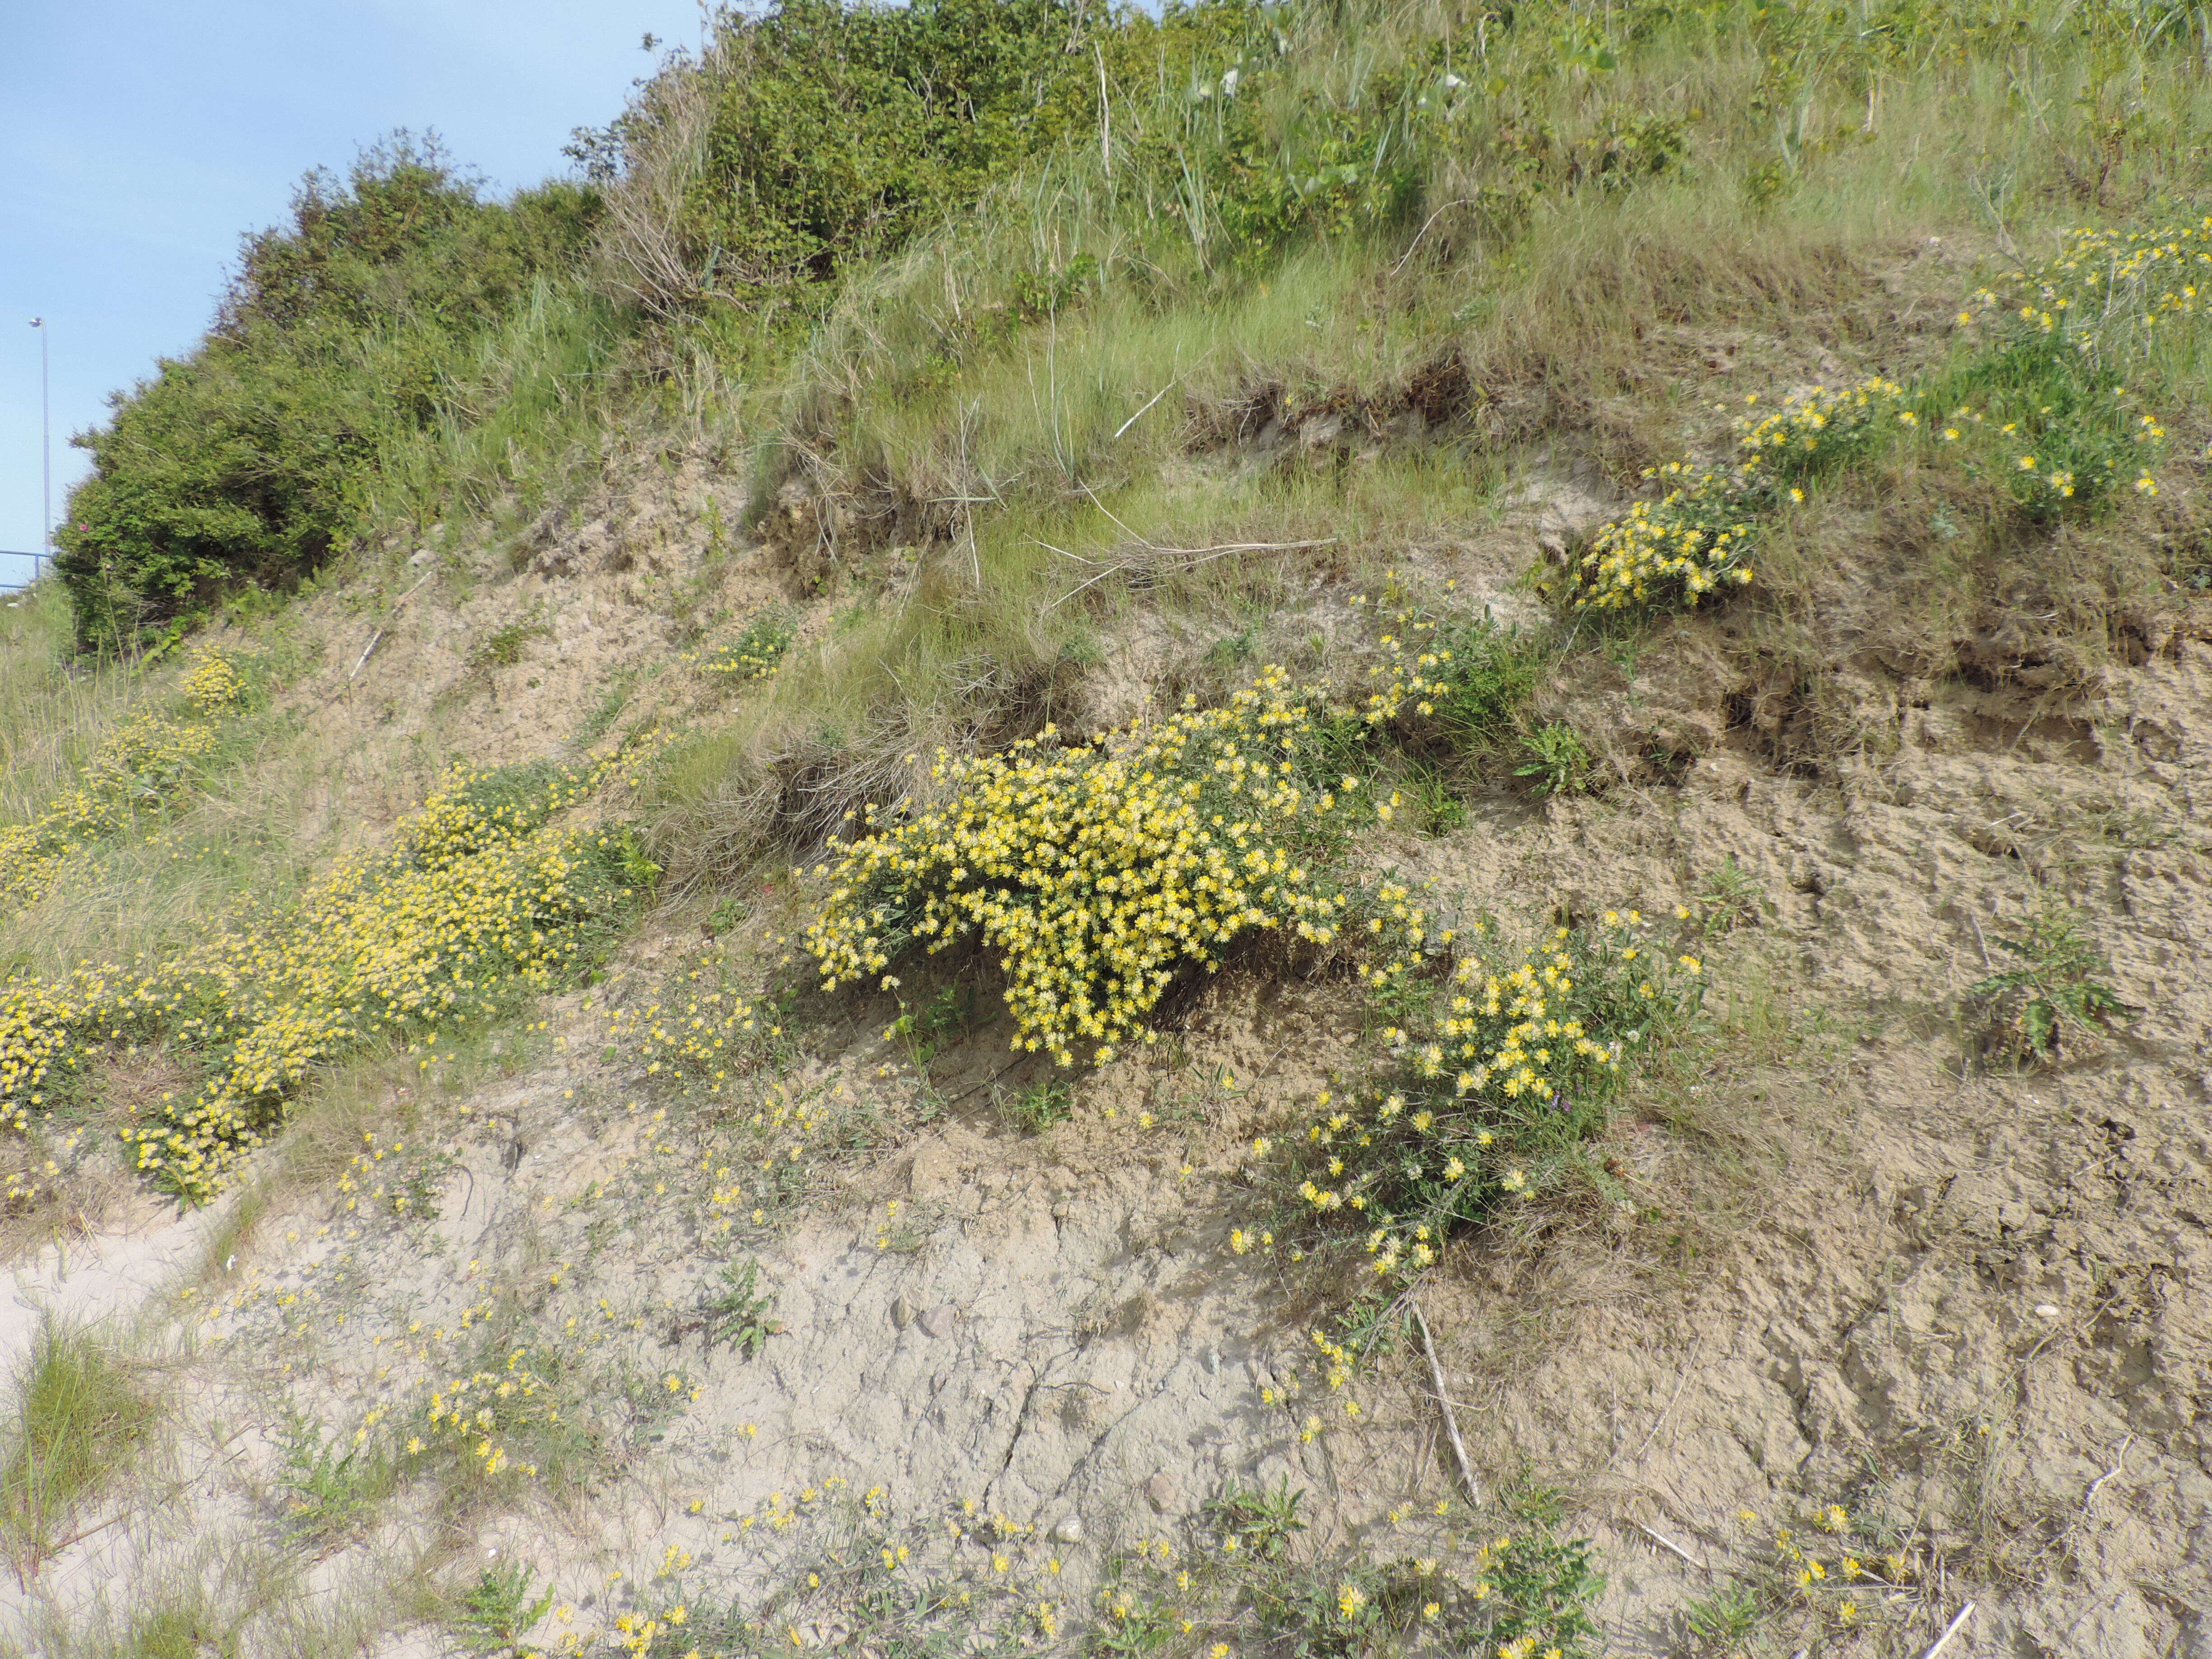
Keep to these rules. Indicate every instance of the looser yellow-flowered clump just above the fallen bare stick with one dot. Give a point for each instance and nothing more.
(1503, 1065)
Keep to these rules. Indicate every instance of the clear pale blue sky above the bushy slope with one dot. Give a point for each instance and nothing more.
(143, 138)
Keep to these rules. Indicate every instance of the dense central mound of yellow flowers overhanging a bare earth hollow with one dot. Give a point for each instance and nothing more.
(1100, 873)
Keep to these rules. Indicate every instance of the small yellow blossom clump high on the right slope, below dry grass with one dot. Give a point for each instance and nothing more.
(1698, 536)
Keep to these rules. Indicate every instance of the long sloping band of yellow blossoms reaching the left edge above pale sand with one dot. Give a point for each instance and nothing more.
(481, 897)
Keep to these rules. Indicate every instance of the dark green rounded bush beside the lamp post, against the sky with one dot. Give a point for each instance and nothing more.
(242, 461)
